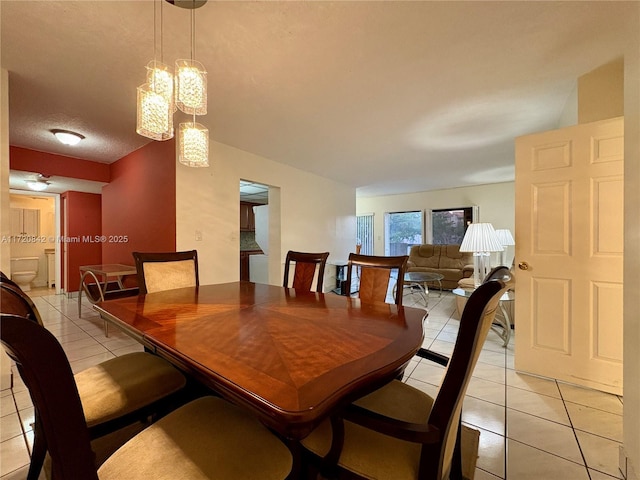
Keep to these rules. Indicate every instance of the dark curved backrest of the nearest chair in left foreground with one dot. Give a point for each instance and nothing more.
(46, 372)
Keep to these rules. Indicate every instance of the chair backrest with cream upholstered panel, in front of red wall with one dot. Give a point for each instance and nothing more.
(159, 271)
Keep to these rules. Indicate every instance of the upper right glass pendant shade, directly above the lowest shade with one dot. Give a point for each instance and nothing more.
(191, 87)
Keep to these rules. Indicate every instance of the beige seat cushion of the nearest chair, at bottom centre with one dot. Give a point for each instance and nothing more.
(206, 438)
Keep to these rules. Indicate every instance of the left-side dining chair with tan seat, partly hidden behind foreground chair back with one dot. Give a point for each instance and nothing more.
(114, 394)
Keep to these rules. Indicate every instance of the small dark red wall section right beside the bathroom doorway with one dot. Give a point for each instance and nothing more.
(84, 226)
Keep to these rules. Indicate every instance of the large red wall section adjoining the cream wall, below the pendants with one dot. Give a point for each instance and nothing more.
(140, 203)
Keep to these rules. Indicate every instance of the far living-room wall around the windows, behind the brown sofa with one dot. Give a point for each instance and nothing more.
(496, 202)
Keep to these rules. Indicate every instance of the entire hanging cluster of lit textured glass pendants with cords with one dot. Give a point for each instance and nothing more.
(164, 93)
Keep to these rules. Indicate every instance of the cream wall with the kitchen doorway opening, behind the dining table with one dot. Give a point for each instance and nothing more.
(312, 213)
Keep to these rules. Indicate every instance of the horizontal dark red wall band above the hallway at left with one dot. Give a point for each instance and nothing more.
(57, 165)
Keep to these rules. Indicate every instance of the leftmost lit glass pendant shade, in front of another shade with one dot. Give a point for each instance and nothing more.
(154, 114)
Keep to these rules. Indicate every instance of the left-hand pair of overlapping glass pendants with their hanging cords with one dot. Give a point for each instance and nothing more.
(155, 98)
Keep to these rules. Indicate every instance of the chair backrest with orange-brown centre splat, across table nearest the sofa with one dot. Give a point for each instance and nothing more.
(375, 273)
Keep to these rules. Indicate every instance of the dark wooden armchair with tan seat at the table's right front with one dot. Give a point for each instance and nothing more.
(400, 432)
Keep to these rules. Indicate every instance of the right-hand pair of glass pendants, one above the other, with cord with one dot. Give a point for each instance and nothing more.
(191, 98)
